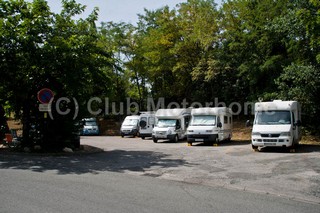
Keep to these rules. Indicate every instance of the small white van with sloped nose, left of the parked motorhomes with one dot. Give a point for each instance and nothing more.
(130, 126)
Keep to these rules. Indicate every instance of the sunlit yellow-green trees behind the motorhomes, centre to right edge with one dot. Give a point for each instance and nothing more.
(235, 53)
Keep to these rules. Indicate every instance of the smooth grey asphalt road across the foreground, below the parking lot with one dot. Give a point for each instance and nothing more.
(30, 191)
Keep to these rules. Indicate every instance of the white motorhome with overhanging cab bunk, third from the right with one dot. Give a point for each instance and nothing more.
(171, 124)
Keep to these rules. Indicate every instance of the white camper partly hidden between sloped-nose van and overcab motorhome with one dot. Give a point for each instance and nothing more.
(146, 123)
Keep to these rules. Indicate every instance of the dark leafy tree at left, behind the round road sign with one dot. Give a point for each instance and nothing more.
(41, 49)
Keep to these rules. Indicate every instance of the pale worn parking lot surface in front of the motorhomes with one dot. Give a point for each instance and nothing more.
(230, 164)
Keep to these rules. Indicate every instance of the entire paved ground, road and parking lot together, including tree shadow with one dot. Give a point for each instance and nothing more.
(133, 175)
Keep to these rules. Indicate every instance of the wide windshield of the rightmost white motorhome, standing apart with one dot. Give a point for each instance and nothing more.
(273, 118)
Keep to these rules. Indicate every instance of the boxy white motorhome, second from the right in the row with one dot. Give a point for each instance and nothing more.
(210, 125)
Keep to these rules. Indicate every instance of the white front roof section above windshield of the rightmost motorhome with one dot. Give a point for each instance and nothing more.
(276, 105)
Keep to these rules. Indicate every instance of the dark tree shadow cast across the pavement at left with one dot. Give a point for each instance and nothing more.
(114, 161)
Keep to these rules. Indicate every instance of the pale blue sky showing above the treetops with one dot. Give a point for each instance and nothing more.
(119, 10)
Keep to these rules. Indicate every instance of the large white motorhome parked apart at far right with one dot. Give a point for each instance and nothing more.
(276, 124)
